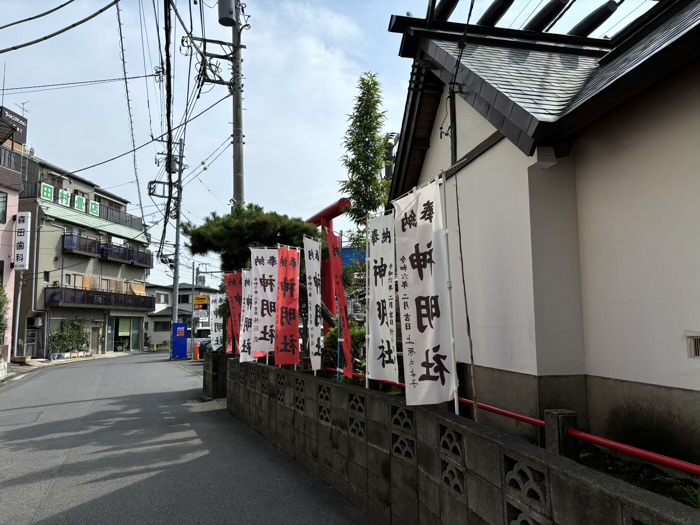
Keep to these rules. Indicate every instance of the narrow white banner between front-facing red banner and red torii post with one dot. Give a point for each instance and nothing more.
(312, 252)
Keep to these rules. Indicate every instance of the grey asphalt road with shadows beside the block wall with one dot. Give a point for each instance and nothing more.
(127, 440)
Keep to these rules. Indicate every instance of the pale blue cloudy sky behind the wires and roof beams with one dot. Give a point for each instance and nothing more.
(301, 65)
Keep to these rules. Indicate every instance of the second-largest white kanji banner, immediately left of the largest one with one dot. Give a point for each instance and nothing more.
(381, 265)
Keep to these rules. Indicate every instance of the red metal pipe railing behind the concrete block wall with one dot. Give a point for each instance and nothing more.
(646, 455)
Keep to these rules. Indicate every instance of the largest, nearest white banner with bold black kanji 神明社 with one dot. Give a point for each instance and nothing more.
(421, 257)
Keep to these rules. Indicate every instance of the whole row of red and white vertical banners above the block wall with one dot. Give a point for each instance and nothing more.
(407, 262)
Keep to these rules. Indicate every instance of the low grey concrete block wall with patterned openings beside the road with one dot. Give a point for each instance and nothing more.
(413, 465)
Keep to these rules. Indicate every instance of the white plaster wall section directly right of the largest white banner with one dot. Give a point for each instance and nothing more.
(495, 224)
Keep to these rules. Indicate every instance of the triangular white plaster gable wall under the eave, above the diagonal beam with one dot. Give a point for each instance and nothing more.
(472, 129)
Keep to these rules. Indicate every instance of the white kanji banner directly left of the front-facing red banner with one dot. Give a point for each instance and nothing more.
(264, 274)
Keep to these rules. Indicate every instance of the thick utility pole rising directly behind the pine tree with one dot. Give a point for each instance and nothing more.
(237, 96)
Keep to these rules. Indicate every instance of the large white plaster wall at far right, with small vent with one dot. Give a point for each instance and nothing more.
(638, 184)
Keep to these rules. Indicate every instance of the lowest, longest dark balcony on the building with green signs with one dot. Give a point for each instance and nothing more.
(68, 296)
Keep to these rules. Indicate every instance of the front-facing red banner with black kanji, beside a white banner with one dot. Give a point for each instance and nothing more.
(287, 315)
